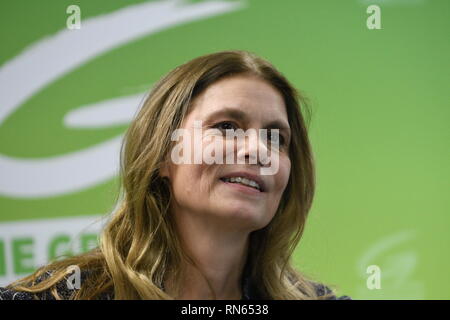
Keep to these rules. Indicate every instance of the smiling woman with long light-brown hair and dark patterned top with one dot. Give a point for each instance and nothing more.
(203, 230)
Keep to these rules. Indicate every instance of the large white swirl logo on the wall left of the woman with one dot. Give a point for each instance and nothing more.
(22, 77)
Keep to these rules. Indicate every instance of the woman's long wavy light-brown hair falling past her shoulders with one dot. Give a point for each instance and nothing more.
(139, 247)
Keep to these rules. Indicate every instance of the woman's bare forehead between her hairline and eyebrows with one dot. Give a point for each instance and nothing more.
(249, 94)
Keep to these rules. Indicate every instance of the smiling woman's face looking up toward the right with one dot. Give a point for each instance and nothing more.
(238, 102)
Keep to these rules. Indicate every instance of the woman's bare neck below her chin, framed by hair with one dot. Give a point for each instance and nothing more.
(219, 256)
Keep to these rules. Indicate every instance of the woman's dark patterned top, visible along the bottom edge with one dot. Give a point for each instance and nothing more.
(249, 292)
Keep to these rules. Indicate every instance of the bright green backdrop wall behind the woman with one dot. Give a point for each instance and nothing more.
(380, 126)
